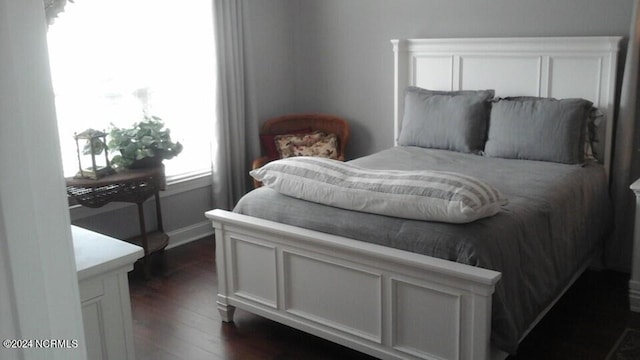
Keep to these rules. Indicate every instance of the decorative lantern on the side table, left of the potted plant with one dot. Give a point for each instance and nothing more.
(95, 143)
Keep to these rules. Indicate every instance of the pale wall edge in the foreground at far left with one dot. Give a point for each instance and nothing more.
(38, 279)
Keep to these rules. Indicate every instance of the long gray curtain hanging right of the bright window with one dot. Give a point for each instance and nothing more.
(234, 131)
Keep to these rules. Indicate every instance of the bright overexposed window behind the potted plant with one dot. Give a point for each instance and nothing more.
(113, 61)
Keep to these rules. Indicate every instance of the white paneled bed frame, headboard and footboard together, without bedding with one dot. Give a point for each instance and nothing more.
(386, 302)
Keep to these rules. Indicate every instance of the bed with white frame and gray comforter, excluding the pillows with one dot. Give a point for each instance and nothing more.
(405, 288)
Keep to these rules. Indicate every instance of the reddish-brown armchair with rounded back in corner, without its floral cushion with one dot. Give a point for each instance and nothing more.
(300, 124)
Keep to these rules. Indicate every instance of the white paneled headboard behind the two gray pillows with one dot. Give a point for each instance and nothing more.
(560, 67)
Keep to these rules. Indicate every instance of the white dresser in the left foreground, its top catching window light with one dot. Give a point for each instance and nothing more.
(102, 263)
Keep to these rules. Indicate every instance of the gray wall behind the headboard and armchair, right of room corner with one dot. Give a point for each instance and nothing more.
(343, 57)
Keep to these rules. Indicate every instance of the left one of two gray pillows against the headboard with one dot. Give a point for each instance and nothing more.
(452, 120)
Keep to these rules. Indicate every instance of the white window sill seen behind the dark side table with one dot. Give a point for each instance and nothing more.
(176, 184)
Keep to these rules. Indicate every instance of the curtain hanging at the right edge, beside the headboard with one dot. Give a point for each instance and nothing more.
(626, 155)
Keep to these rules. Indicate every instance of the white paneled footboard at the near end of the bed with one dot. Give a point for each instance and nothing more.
(381, 301)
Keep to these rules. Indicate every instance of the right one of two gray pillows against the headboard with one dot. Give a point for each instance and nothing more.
(538, 129)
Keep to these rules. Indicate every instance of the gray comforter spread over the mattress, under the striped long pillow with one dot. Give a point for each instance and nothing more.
(554, 221)
